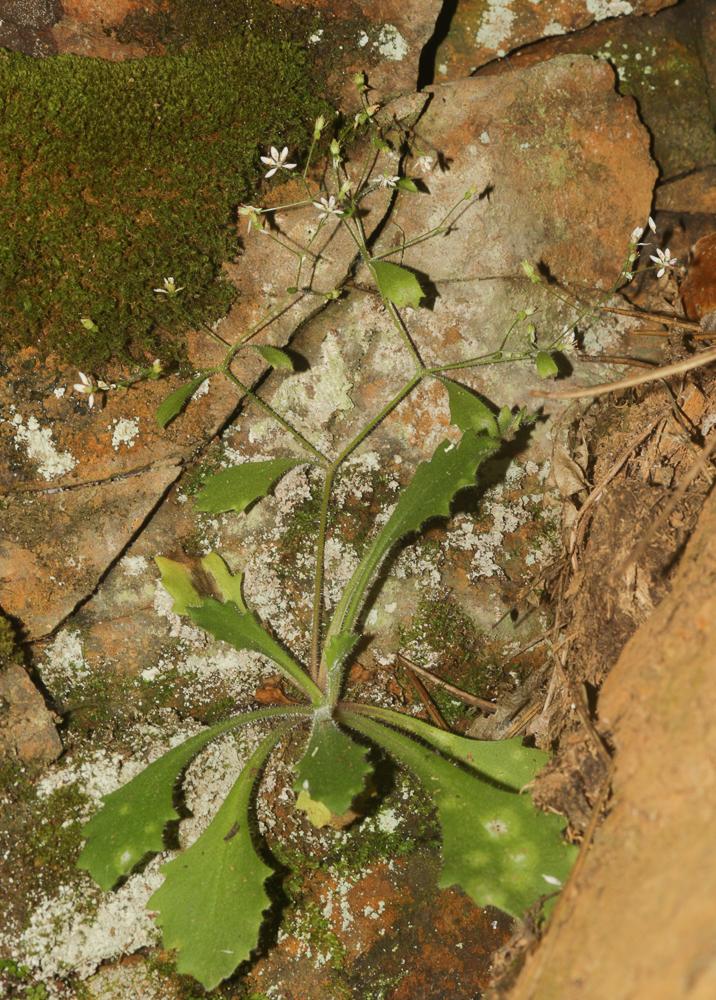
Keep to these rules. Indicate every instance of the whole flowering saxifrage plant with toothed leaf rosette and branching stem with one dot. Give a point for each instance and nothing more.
(496, 845)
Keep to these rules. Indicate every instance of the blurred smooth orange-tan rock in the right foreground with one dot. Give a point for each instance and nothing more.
(648, 883)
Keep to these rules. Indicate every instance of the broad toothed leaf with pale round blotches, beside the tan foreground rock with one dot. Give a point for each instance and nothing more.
(497, 846)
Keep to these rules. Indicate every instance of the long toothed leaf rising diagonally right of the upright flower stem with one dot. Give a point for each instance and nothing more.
(429, 494)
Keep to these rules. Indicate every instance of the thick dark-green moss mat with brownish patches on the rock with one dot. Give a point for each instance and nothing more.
(115, 175)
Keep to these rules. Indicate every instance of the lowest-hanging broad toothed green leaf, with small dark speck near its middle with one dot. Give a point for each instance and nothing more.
(212, 901)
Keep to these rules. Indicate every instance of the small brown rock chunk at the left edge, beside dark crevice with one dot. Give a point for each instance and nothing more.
(26, 727)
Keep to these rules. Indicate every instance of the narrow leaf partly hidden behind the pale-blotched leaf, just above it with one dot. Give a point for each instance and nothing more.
(504, 761)
